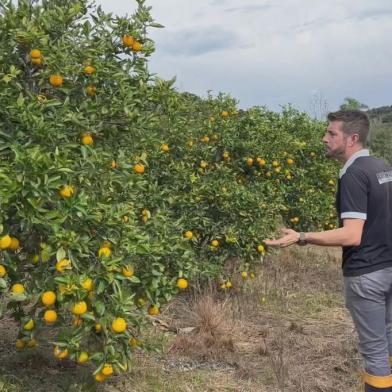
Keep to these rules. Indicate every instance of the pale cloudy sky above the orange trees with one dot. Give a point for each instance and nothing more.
(274, 52)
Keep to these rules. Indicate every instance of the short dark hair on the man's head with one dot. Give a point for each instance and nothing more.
(353, 121)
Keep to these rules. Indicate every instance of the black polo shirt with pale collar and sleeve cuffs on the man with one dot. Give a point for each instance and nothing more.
(365, 192)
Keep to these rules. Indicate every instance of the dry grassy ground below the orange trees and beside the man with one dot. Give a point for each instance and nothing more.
(285, 330)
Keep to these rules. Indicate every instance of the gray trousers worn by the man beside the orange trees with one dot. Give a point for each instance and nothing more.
(369, 300)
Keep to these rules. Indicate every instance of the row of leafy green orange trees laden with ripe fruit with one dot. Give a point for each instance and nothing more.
(118, 190)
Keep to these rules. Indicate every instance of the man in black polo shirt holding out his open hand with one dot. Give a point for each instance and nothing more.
(364, 207)
